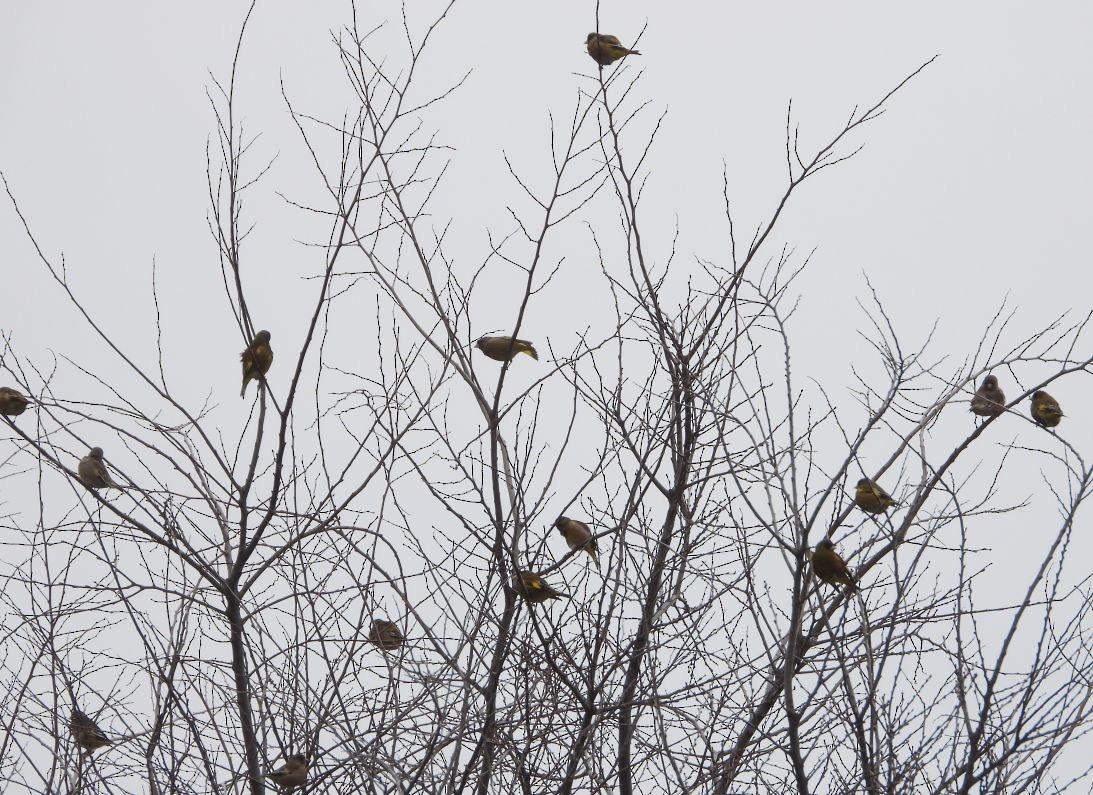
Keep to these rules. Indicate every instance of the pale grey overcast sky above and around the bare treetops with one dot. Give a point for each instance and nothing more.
(972, 188)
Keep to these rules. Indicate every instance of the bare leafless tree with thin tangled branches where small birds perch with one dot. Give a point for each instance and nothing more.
(227, 609)
